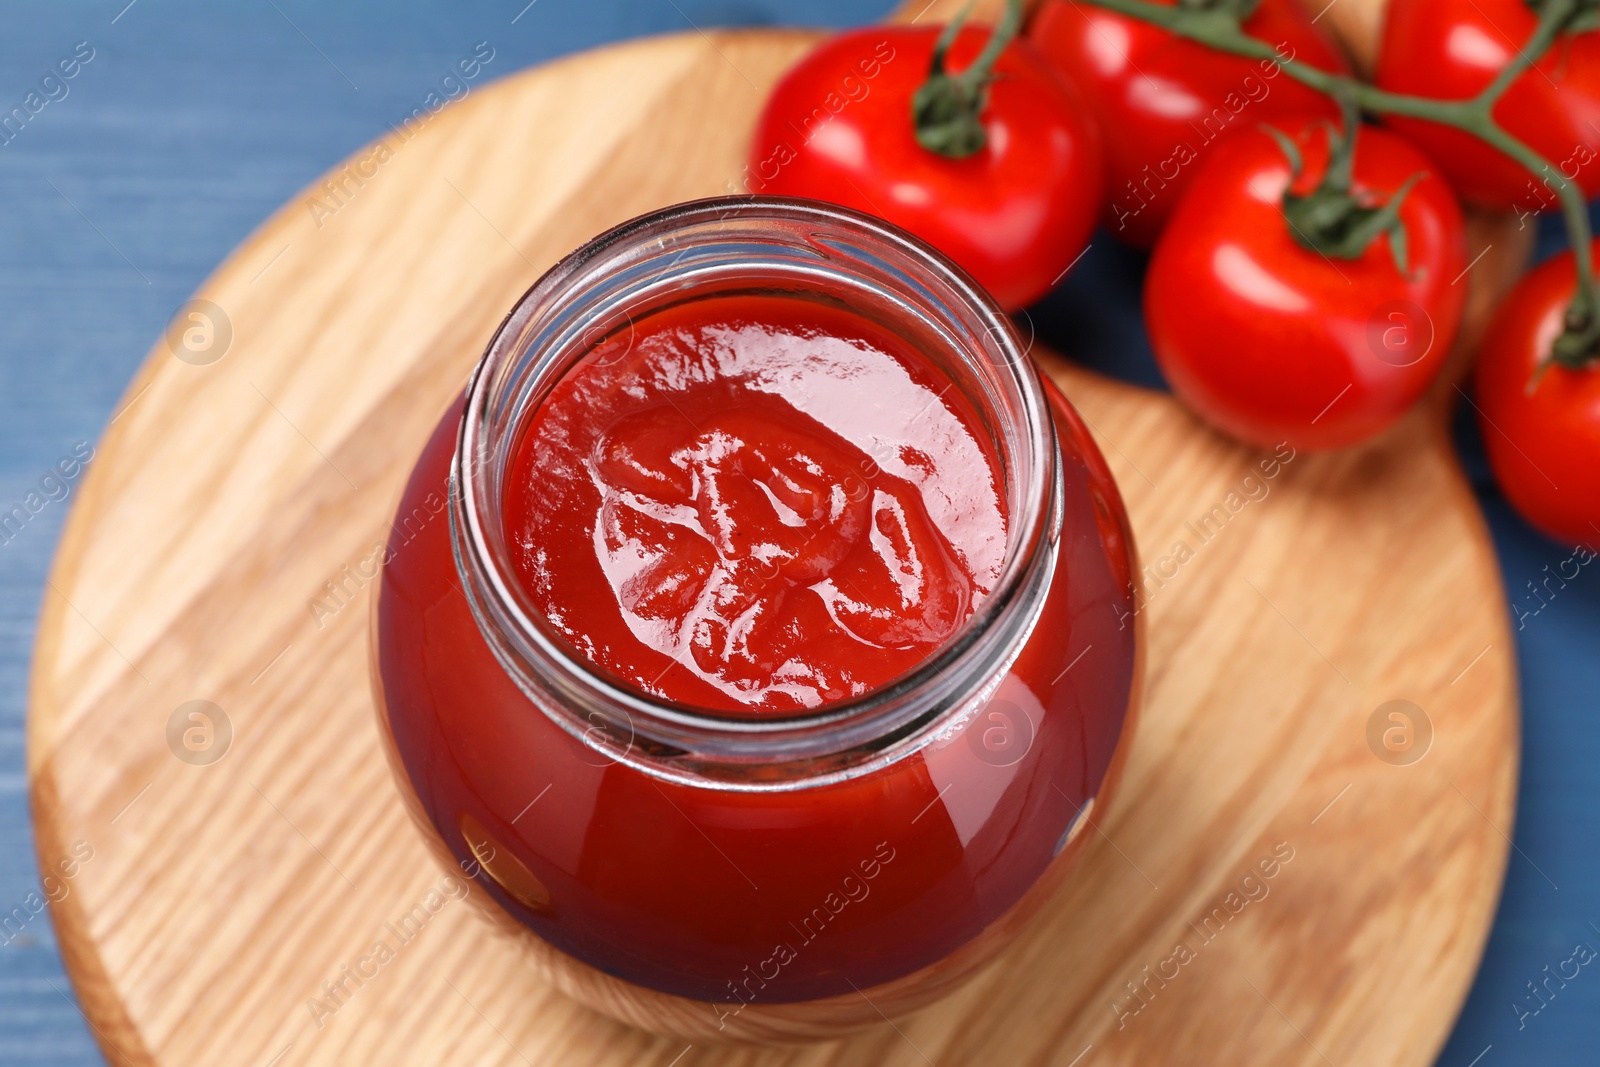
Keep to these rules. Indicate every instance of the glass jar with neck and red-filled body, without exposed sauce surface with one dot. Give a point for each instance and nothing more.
(716, 876)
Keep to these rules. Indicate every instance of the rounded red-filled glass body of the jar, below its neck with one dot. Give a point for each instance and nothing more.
(746, 900)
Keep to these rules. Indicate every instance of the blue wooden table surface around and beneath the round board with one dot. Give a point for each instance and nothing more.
(186, 124)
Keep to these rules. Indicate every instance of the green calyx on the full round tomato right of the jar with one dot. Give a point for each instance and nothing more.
(1334, 222)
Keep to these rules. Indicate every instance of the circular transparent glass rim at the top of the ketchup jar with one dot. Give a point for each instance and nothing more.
(684, 741)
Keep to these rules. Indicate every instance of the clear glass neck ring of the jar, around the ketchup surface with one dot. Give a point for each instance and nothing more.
(796, 249)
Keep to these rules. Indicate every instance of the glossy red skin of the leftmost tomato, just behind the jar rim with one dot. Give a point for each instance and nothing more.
(1015, 215)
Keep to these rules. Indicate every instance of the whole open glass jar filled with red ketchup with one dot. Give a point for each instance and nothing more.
(759, 629)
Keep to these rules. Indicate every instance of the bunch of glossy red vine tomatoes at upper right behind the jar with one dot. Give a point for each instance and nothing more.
(1306, 279)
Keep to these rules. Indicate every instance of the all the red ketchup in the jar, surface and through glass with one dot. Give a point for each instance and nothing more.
(754, 505)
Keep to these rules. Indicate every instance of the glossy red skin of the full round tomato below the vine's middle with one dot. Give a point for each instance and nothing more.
(1274, 343)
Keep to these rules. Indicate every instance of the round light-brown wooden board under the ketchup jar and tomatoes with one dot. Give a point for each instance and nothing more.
(220, 900)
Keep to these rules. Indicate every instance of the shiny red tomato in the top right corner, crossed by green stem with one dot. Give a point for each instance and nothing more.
(1452, 50)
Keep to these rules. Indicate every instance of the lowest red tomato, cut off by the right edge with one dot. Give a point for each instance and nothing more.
(1542, 431)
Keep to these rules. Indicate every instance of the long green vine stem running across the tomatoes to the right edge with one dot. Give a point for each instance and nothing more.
(1582, 342)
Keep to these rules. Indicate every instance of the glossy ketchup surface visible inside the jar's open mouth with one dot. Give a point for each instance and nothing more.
(756, 503)
